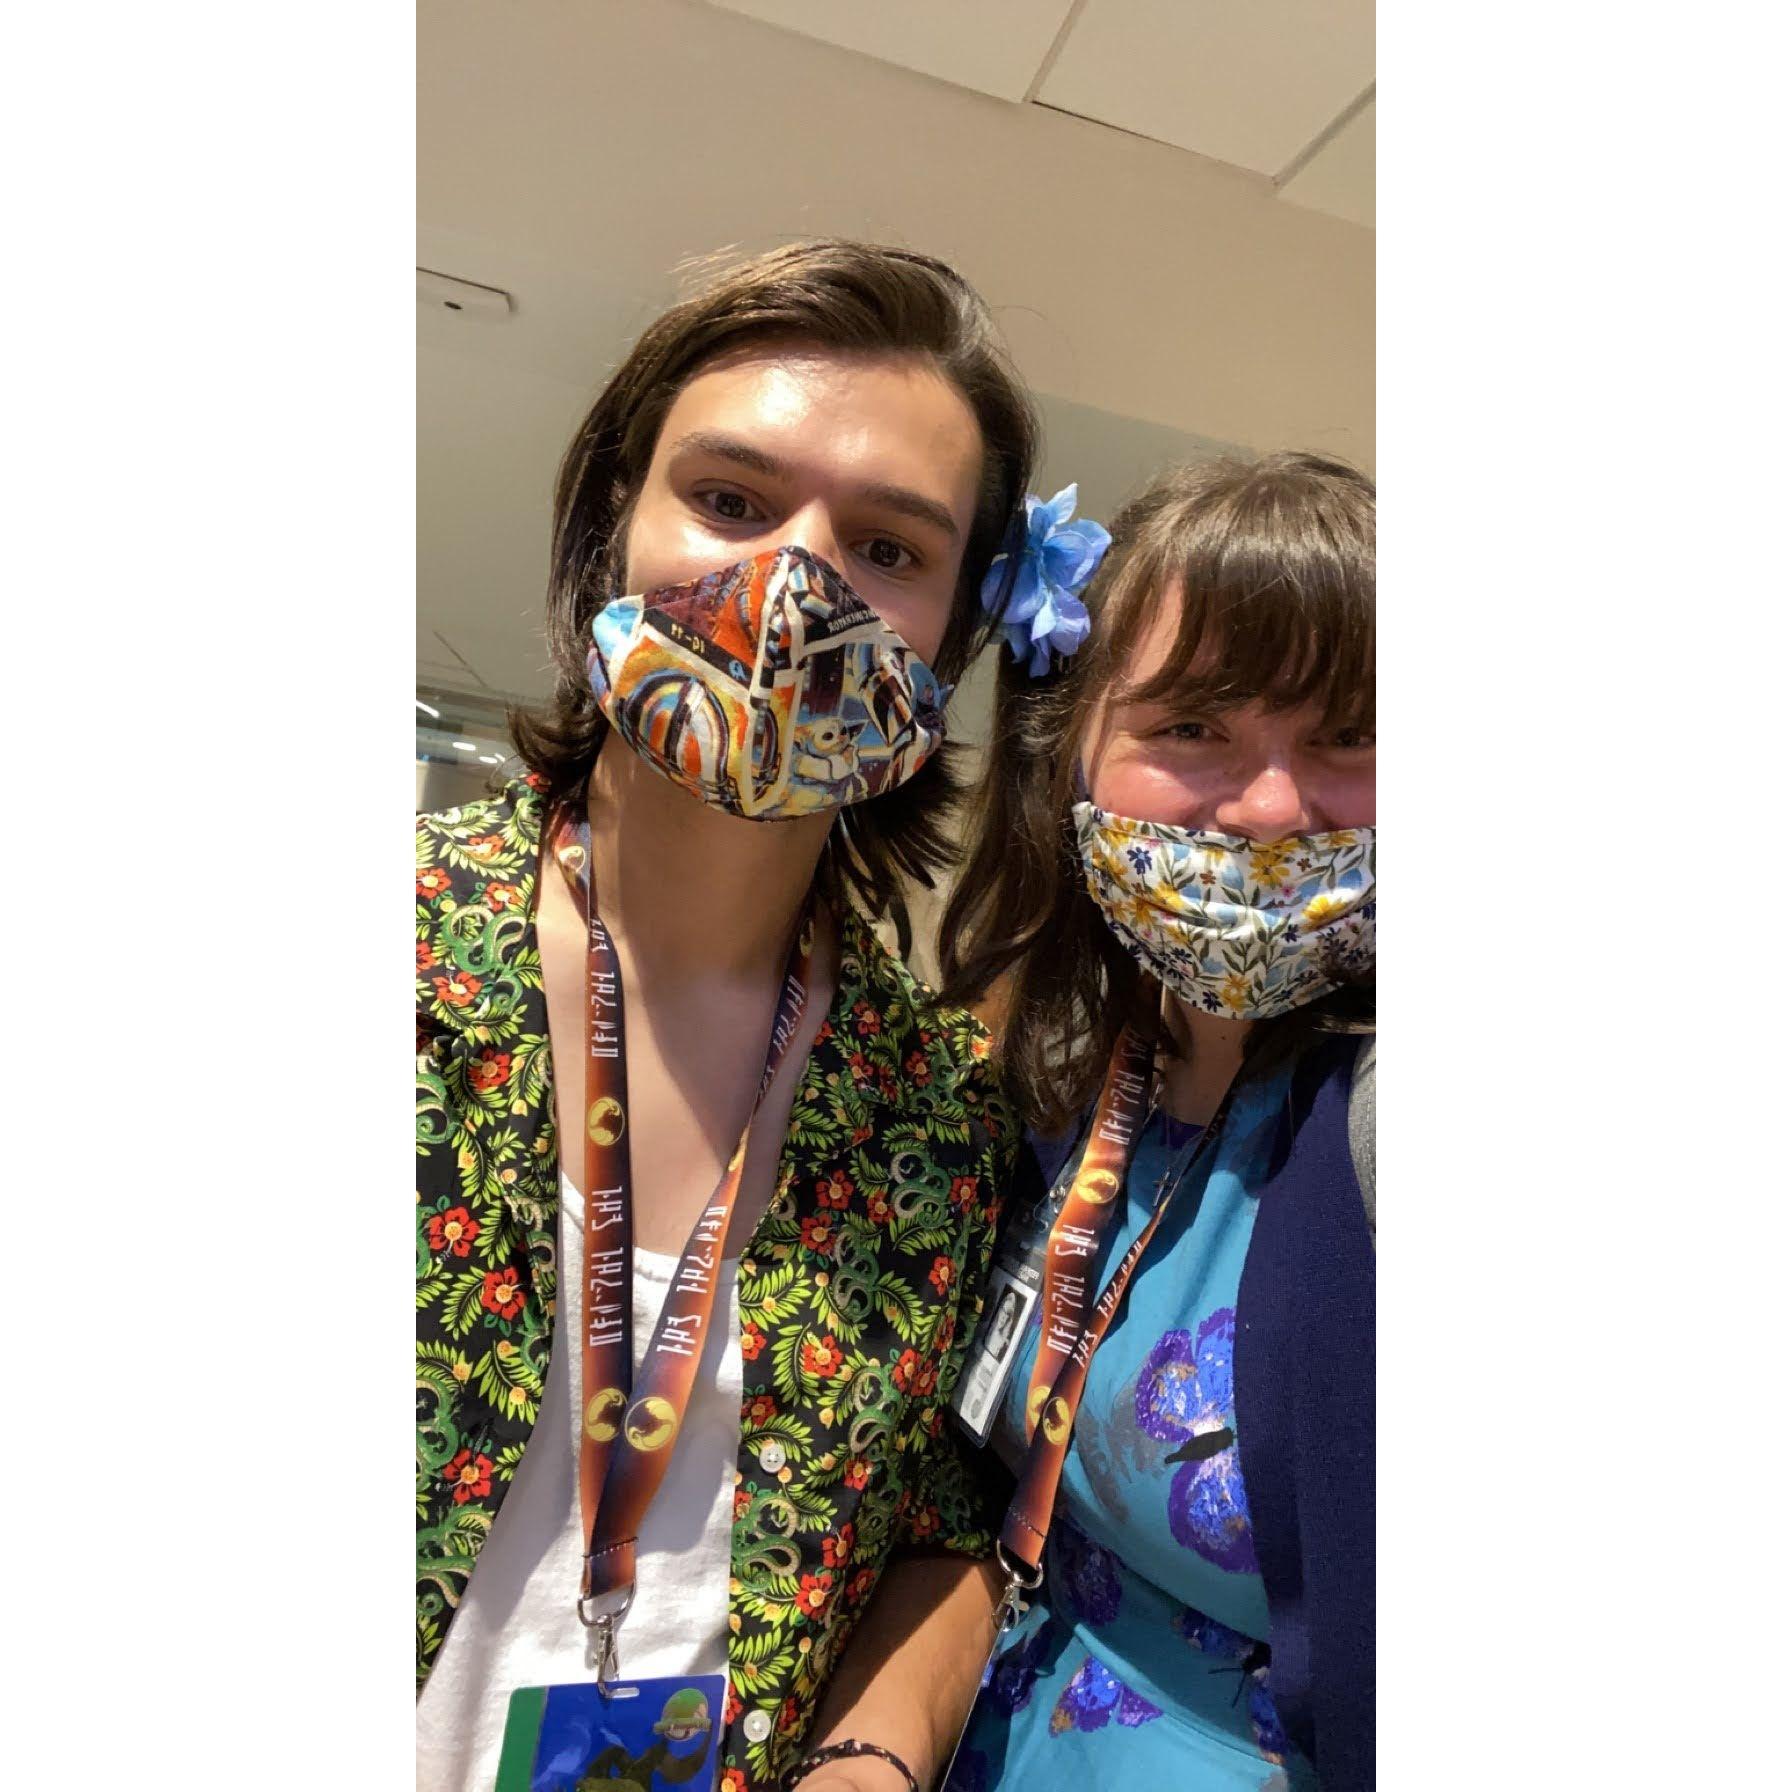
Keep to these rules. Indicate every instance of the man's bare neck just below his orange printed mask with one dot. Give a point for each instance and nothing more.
(687, 886)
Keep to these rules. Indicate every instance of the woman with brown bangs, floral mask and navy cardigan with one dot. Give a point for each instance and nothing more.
(1171, 909)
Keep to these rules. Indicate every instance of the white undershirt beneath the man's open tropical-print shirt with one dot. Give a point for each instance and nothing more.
(517, 1624)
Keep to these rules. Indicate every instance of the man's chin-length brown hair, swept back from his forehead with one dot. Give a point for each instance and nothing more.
(827, 295)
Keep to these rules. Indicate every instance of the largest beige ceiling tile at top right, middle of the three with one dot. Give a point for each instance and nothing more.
(1243, 82)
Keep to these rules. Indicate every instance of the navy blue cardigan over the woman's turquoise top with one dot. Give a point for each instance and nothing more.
(1304, 1377)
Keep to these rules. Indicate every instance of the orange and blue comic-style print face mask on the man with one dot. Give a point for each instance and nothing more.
(770, 689)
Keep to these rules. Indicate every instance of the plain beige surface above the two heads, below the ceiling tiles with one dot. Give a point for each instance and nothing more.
(574, 155)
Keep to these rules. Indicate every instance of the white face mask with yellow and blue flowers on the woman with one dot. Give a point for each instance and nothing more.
(1232, 927)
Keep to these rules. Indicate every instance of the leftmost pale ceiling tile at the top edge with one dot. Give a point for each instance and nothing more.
(994, 46)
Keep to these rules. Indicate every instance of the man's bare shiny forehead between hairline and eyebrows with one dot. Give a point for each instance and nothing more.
(845, 418)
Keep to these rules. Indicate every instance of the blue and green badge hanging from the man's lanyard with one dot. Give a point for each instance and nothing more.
(644, 1736)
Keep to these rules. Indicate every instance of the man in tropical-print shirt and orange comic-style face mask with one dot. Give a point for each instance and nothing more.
(650, 995)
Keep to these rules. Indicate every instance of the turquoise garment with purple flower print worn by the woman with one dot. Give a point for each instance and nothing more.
(1146, 1646)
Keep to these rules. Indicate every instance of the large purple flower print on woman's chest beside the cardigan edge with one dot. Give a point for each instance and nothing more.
(1185, 1397)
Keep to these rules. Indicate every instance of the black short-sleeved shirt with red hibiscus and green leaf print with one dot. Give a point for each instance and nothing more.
(859, 1288)
